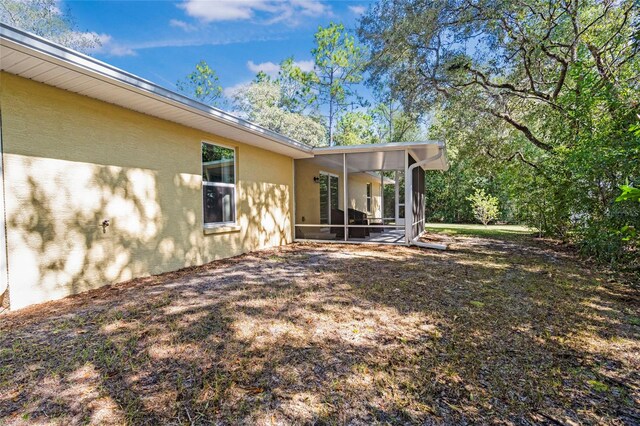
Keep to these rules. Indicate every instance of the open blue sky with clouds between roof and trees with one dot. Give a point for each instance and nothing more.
(163, 40)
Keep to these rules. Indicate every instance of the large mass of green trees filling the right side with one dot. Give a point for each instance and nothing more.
(535, 100)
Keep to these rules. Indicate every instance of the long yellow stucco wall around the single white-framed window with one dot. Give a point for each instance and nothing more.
(71, 161)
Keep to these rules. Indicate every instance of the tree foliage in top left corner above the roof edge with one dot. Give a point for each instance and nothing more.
(46, 19)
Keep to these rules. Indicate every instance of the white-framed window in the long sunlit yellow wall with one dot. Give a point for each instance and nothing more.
(218, 184)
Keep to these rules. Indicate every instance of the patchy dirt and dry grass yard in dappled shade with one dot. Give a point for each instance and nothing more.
(508, 331)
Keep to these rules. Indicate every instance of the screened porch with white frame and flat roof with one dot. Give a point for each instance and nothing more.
(361, 193)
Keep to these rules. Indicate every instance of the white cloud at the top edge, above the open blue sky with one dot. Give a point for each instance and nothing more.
(268, 11)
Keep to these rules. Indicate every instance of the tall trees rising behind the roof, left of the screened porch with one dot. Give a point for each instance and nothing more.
(331, 87)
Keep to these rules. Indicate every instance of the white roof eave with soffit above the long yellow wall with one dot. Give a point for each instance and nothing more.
(35, 58)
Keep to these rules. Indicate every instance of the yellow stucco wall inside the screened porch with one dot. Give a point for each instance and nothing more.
(308, 192)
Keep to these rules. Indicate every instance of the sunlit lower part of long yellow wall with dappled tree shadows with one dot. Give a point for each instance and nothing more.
(155, 226)
